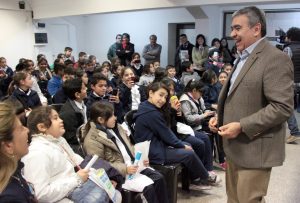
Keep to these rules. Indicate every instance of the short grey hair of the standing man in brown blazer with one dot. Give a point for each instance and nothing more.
(255, 15)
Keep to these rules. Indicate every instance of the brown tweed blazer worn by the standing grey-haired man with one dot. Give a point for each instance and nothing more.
(261, 99)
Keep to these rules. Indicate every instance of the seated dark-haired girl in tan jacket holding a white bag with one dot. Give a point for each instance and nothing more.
(110, 142)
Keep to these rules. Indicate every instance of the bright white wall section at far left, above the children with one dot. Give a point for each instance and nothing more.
(16, 35)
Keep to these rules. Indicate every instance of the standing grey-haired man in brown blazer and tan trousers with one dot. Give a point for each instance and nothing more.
(253, 107)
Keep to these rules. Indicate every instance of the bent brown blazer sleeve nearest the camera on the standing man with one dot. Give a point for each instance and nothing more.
(278, 91)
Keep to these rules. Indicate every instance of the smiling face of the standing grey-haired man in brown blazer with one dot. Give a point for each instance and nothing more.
(243, 34)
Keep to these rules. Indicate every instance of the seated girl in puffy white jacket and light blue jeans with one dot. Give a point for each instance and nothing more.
(50, 162)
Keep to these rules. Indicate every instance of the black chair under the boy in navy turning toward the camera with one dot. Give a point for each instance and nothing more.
(170, 171)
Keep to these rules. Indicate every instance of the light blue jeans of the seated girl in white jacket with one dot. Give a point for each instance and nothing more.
(89, 192)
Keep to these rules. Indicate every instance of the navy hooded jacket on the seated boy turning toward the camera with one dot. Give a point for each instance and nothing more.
(150, 125)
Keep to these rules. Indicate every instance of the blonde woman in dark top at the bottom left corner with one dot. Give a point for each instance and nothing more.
(13, 146)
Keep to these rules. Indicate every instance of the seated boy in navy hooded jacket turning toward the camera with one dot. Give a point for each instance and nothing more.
(152, 120)
